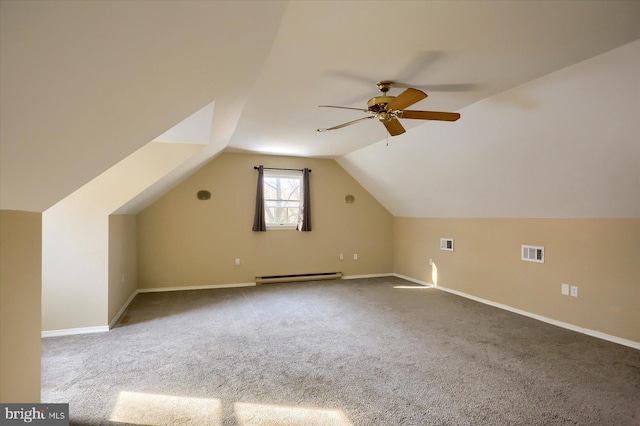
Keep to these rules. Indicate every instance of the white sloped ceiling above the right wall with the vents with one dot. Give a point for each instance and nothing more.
(566, 145)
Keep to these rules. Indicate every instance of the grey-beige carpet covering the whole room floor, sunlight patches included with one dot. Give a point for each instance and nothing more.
(379, 351)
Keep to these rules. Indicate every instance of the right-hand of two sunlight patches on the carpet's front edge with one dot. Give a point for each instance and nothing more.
(275, 415)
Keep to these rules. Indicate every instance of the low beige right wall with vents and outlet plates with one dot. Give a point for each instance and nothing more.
(600, 256)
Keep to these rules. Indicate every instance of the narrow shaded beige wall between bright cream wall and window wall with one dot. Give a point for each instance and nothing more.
(122, 262)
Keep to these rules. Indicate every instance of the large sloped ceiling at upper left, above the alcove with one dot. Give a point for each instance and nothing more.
(85, 84)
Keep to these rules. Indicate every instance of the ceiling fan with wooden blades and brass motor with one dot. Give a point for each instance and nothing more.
(388, 109)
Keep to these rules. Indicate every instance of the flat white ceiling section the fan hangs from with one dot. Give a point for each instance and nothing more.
(334, 53)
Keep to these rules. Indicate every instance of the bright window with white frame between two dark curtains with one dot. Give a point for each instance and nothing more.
(282, 198)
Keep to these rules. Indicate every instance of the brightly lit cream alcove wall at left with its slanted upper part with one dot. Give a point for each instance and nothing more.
(75, 237)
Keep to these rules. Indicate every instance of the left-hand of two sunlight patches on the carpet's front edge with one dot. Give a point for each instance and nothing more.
(150, 409)
